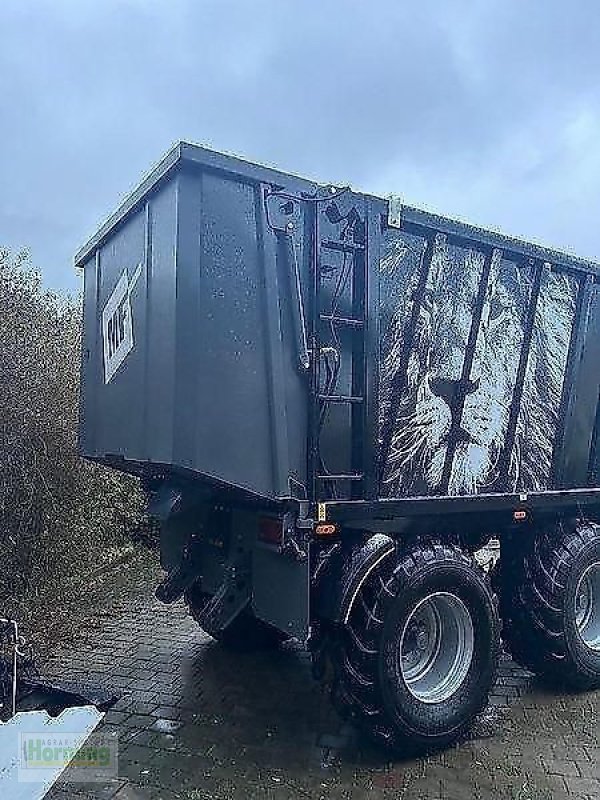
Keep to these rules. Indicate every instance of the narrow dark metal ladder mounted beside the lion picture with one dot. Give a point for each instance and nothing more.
(343, 238)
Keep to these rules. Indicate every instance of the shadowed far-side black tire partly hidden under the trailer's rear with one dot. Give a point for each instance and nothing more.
(244, 634)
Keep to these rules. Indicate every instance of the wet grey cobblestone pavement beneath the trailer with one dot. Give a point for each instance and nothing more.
(194, 721)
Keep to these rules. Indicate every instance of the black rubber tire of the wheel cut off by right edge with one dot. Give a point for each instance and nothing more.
(540, 587)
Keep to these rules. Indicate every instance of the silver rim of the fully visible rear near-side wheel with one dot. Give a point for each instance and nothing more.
(436, 647)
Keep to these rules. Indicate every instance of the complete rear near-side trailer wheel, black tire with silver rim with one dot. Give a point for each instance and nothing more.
(418, 656)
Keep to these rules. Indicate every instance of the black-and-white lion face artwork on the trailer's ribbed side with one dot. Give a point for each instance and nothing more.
(470, 388)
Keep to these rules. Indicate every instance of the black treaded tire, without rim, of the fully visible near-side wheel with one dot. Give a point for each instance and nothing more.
(370, 684)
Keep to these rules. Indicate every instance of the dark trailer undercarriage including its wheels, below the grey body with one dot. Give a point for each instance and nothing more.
(406, 624)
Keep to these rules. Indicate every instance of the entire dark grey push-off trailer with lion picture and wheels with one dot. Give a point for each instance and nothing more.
(334, 401)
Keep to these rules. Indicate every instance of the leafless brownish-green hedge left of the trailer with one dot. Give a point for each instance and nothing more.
(61, 519)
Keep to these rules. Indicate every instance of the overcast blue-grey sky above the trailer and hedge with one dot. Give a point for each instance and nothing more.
(489, 110)
